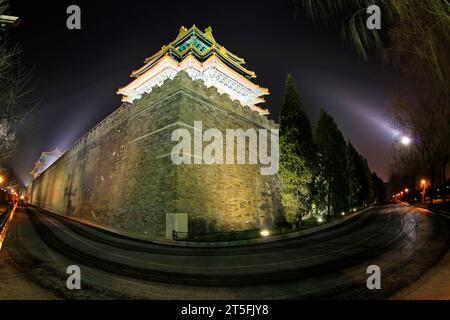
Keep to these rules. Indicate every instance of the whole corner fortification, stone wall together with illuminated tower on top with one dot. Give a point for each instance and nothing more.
(120, 175)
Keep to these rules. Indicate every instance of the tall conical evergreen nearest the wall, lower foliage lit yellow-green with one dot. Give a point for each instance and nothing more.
(297, 155)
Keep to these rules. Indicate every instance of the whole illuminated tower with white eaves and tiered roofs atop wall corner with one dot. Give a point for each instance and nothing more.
(202, 58)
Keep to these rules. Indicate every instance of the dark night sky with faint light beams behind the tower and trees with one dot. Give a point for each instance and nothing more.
(78, 72)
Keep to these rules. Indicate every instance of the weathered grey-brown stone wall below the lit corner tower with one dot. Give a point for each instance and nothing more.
(120, 175)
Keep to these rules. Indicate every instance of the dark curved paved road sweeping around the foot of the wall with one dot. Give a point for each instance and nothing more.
(403, 240)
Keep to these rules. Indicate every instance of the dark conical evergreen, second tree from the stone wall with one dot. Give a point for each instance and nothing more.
(333, 171)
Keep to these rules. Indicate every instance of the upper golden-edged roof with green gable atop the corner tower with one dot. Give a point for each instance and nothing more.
(200, 44)
